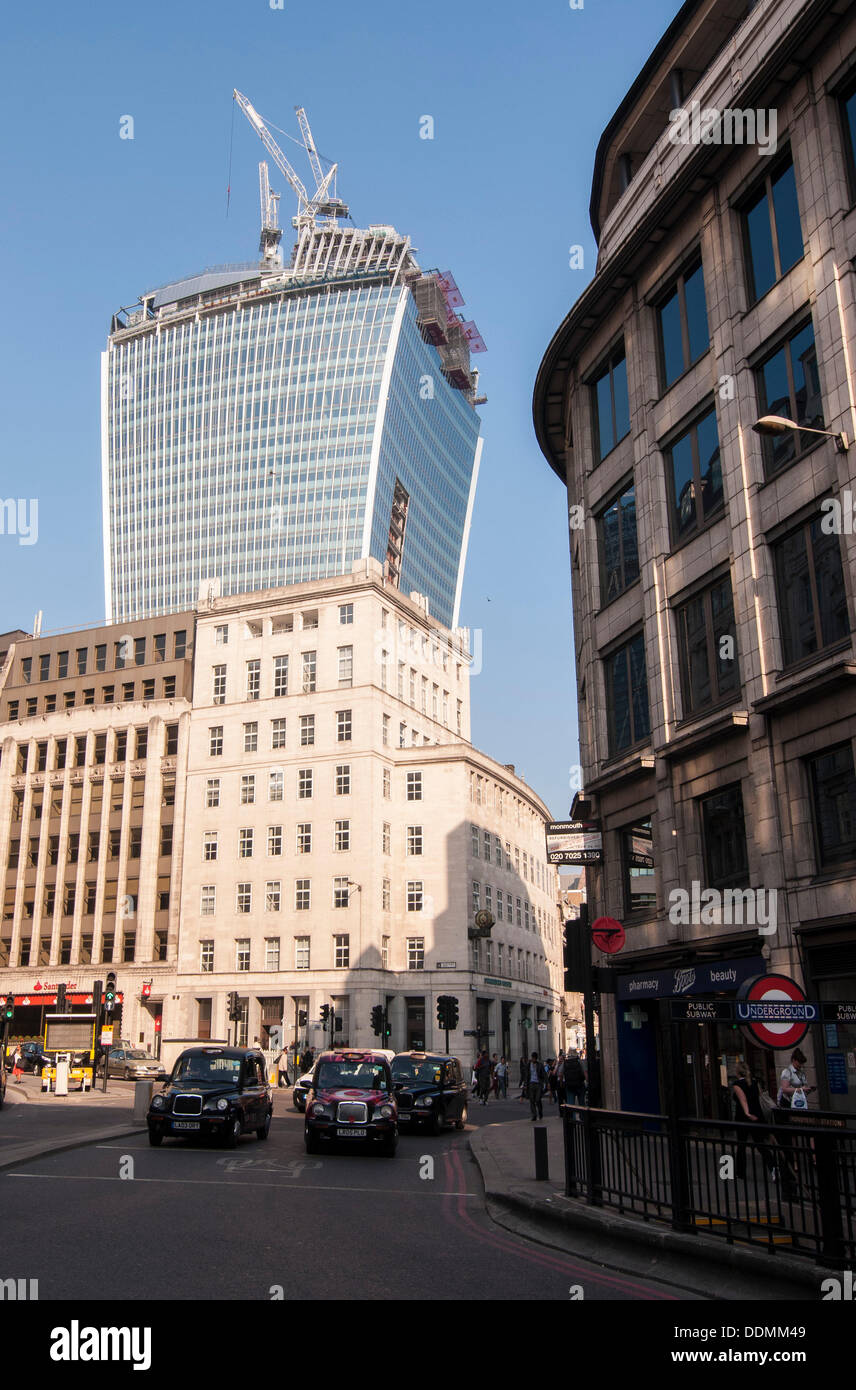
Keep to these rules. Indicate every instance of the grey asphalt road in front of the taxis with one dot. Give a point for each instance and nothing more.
(199, 1223)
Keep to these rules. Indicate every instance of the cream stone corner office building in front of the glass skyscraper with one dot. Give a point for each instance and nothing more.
(341, 832)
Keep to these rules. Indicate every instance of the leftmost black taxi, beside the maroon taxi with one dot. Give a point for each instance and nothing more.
(213, 1092)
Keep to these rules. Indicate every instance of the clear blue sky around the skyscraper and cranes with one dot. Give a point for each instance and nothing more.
(519, 95)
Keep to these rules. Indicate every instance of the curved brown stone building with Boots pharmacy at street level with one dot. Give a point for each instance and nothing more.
(714, 593)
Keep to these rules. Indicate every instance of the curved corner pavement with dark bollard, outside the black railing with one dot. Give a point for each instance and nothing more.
(505, 1154)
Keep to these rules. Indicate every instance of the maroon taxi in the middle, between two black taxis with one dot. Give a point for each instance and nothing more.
(351, 1100)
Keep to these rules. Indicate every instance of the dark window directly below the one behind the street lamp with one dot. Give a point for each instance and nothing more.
(812, 600)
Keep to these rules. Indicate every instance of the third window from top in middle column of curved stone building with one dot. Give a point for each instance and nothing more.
(708, 647)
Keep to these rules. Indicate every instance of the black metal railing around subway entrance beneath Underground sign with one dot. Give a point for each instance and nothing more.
(787, 1186)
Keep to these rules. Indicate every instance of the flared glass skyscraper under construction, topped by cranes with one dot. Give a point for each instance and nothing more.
(266, 429)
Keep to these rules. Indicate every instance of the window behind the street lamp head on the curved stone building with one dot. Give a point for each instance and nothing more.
(789, 384)
